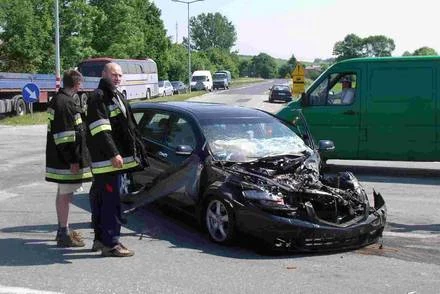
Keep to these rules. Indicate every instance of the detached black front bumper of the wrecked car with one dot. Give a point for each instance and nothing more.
(294, 234)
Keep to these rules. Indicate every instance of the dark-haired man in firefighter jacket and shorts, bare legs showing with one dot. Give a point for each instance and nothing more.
(67, 158)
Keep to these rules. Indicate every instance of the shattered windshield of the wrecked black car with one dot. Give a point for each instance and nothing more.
(248, 139)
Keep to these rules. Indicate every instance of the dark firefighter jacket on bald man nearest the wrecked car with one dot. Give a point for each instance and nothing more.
(112, 131)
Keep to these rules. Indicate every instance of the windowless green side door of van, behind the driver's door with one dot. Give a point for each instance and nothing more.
(400, 118)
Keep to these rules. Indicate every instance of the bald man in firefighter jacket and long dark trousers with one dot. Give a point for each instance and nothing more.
(111, 141)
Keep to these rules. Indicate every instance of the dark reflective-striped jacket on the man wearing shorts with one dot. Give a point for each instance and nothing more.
(66, 141)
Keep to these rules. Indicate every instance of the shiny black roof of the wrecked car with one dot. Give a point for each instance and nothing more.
(203, 110)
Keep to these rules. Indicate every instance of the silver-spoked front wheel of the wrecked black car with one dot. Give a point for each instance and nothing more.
(219, 220)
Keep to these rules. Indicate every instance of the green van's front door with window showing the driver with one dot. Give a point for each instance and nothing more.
(333, 112)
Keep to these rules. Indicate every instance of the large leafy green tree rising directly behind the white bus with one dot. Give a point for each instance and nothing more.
(131, 29)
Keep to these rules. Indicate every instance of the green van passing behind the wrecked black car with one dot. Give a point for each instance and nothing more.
(376, 108)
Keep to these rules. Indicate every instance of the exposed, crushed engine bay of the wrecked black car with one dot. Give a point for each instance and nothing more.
(336, 199)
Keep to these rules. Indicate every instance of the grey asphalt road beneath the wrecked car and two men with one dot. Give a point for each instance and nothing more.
(173, 256)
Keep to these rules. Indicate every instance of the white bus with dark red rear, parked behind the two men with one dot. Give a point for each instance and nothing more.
(140, 78)
